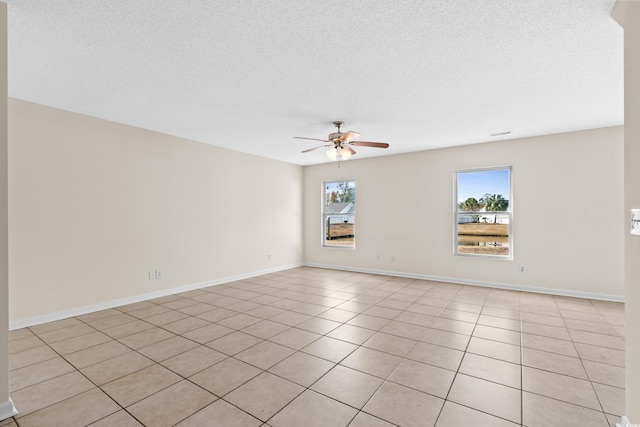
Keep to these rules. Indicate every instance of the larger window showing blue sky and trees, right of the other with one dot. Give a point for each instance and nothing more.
(483, 215)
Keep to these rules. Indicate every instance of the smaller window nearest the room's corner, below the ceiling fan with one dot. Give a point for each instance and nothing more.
(339, 214)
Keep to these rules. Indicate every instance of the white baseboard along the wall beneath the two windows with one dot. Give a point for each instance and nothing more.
(508, 286)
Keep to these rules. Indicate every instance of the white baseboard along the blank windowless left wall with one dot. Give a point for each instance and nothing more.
(50, 317)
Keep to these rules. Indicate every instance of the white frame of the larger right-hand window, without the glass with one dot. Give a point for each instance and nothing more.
(508, 212)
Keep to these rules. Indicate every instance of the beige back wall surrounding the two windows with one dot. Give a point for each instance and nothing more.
(567, 195)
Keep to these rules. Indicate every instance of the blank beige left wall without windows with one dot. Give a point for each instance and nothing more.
(95, 205)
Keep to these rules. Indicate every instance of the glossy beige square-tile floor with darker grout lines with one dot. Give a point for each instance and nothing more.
(318, 347)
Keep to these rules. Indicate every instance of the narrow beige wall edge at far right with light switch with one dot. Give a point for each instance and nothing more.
(628, 14)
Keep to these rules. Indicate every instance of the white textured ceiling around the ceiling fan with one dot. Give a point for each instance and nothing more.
(250, 75)
